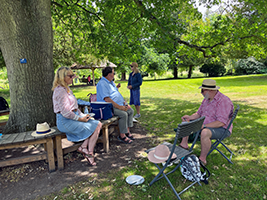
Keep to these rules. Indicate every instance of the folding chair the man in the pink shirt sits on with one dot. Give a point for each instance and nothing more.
(219, 141)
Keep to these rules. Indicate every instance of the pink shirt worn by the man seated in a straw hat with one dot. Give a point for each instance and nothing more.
(219, 109)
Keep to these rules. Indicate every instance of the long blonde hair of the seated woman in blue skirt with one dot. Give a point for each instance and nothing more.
(59, 78)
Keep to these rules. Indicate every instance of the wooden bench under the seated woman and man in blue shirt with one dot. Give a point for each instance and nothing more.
(103, 139)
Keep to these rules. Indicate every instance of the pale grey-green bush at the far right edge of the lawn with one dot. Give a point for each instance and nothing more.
(250, 66)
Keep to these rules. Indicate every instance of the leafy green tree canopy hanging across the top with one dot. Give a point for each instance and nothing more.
(116, 30)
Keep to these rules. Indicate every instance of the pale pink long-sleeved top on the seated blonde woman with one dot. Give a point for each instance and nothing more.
(65, 103)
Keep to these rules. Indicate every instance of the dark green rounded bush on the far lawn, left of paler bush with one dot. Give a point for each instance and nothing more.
(213, 70)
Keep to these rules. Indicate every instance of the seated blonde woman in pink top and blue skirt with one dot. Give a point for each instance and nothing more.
(70, 120)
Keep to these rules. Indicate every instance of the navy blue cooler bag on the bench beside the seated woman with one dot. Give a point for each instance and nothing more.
(102, 110)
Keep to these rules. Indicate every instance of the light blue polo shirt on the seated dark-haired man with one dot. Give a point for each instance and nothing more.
(106, 88)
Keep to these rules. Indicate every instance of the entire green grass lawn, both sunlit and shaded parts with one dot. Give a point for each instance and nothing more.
(163, 103)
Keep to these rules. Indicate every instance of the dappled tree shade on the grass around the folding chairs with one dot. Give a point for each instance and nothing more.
(245, 179)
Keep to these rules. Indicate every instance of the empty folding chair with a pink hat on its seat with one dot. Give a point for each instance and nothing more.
(183, 130)
